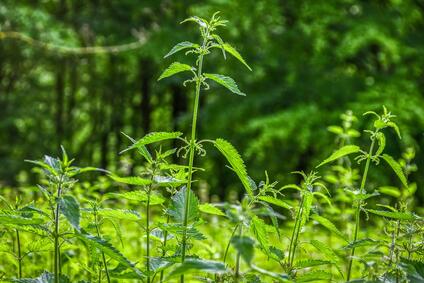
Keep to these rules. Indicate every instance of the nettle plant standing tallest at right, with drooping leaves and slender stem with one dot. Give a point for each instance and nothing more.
(377, 138)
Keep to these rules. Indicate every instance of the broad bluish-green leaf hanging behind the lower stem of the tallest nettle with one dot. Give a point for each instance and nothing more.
(178, 203)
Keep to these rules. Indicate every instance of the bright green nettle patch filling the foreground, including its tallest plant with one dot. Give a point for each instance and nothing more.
(157, 226)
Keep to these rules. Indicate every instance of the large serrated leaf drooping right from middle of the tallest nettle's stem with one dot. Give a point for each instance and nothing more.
(236, 162)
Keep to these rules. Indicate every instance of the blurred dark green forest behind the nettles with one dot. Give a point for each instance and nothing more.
(311, 61)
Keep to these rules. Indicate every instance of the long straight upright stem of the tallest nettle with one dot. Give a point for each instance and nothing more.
(191, 156)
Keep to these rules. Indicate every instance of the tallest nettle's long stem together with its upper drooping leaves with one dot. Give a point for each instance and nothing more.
(210, 40)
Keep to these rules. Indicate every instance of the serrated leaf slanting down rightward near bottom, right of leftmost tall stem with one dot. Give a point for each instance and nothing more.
(106, 248)
